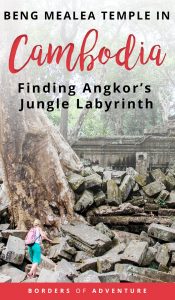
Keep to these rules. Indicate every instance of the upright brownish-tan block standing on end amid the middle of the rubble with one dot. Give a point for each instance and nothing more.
(113, 193)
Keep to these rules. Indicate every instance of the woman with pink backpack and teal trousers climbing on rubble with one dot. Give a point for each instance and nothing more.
(34, 242)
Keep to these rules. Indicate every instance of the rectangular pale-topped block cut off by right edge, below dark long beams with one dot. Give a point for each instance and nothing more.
(161, 232)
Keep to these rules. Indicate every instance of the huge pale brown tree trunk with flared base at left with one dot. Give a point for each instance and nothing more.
(35, 158)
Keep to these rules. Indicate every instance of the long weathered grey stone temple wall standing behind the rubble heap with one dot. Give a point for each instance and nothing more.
(148, 151)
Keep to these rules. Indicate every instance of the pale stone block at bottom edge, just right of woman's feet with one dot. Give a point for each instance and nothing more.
(50, 276)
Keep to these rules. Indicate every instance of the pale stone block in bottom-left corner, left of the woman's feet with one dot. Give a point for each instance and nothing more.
(15, 274)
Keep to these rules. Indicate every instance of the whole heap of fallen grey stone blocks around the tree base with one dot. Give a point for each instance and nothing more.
(123, 231)
